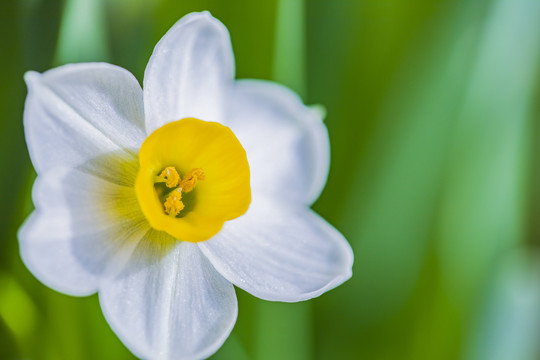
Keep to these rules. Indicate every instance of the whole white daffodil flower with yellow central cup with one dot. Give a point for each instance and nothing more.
(165, 275)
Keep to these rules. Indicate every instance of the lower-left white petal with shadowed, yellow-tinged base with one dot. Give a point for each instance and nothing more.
(82, 230)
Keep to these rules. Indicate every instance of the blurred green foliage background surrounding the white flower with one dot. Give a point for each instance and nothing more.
(433, 112)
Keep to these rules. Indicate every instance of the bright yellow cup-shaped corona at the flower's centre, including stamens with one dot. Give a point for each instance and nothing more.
(193, 176)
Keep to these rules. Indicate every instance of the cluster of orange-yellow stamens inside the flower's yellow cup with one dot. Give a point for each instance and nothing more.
(173, 203)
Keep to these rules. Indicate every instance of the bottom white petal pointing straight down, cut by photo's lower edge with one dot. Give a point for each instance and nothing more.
(169, 302)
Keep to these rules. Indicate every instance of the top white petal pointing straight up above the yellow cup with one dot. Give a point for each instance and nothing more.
(189, 72)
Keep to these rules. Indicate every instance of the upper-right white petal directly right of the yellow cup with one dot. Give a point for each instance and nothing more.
(285, 141)
